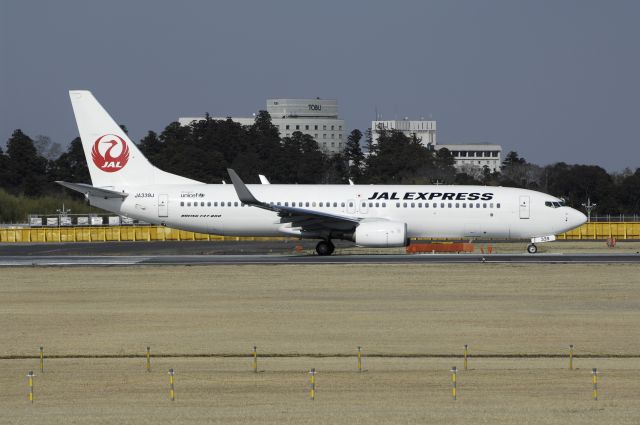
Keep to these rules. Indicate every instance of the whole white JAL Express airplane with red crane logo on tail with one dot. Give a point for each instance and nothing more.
(126, 183)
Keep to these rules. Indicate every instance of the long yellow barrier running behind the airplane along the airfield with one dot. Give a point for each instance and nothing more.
(588, 231)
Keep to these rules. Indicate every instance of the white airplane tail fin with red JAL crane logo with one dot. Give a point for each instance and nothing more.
(113, 159)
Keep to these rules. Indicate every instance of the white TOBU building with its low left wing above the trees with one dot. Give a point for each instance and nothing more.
(316, 117)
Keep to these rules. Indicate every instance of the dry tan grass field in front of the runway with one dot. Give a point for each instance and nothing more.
(388, 309)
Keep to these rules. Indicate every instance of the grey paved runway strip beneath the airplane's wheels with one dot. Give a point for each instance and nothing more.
(192, 260)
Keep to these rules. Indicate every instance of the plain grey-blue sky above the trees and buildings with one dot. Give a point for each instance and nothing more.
(553, 80)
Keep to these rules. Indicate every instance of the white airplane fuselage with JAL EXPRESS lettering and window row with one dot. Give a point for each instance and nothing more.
(428, 211)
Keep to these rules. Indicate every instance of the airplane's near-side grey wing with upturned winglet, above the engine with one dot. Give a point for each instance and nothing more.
(309, 220)
